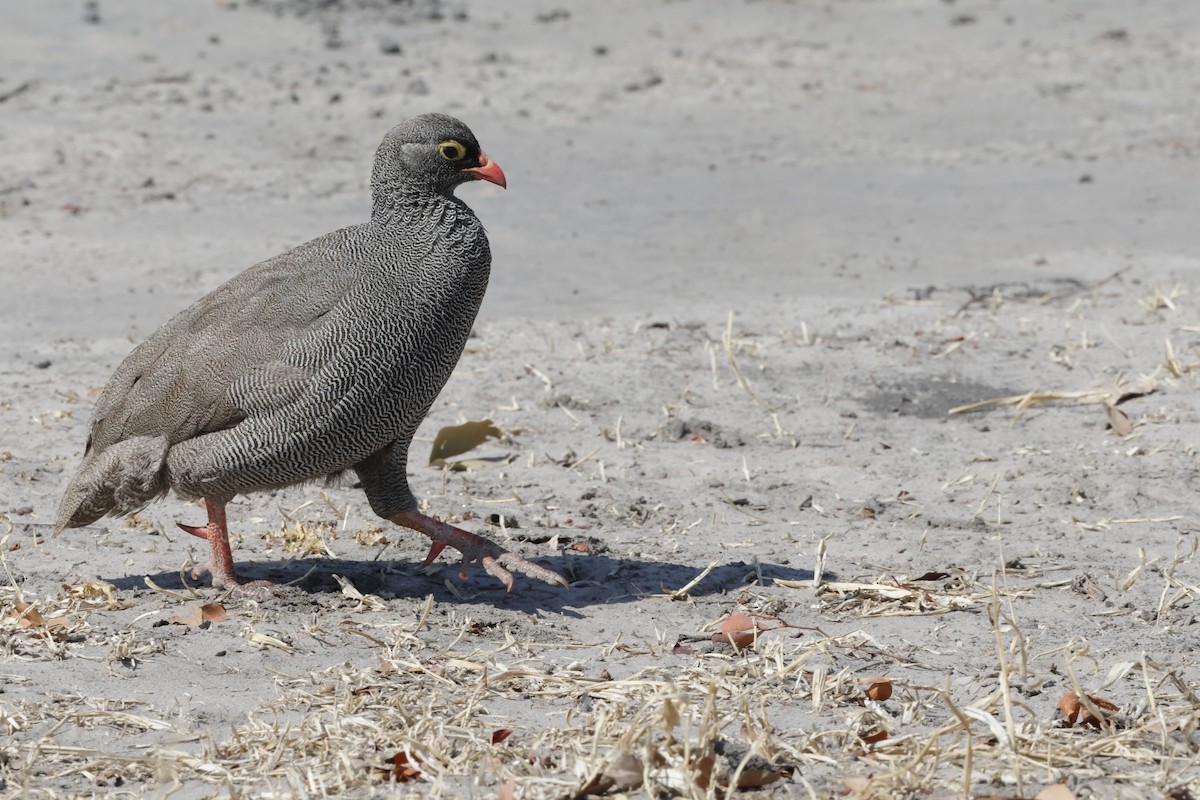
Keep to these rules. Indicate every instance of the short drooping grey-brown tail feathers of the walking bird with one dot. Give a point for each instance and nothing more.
(119, 480)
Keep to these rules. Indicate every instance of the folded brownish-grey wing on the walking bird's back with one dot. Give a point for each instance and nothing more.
(177, 384)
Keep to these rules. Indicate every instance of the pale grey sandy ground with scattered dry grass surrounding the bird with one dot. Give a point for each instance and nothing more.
(753, 256)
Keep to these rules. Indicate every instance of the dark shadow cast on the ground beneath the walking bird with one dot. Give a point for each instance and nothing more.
(596, 580)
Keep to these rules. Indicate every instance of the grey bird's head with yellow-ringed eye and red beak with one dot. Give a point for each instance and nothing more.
(433, 153)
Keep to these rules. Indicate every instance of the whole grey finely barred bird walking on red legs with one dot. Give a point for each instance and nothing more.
(321, 360)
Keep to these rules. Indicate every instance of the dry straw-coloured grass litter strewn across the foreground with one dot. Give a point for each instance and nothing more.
(697, 721)
